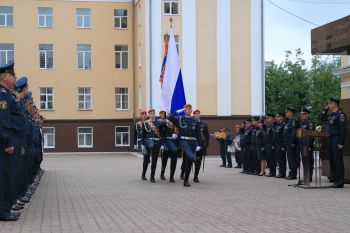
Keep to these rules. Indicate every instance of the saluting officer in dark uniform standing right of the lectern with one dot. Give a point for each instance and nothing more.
(337, 129)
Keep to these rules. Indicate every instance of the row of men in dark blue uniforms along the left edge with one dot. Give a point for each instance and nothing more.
(20, 142)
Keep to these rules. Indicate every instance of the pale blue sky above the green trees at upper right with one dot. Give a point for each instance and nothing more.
(286, 32)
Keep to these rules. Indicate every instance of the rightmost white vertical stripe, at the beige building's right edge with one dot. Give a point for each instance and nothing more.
(257, 58)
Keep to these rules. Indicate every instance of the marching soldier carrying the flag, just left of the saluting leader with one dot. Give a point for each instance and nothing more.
(170, 146)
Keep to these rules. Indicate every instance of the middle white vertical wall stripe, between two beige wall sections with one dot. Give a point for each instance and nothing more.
(223, 56)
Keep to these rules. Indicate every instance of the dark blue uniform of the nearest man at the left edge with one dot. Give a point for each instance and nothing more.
(12, 131)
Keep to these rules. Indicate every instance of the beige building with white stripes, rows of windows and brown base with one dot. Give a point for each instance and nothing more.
(93, 65)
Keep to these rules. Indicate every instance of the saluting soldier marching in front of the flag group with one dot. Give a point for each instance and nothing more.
(189, 136)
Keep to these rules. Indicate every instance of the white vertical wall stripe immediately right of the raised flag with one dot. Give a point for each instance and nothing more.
(189, 51)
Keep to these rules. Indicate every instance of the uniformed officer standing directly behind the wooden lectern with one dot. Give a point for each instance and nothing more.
(306, 123)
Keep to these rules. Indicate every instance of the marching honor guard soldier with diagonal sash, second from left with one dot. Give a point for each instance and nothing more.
(151, 140)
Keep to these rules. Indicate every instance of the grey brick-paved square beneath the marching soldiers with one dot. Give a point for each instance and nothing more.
(104, 193)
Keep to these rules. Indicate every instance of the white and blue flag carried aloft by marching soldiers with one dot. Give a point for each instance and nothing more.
(172, 92)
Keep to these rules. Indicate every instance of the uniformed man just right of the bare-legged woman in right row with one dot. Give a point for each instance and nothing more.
(270, 152)
